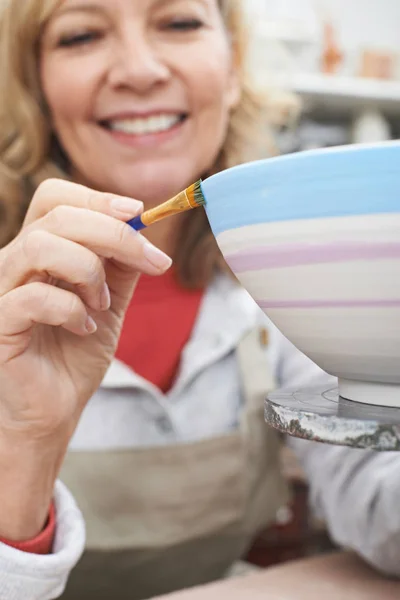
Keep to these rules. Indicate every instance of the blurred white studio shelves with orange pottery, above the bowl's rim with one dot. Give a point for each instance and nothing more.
(342, 58)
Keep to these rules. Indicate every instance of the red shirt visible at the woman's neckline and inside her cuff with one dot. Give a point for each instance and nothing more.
(158, 324)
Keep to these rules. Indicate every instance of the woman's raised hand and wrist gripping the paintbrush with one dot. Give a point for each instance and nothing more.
(65, 283)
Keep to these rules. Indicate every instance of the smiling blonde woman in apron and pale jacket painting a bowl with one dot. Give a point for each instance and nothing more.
(168, 455)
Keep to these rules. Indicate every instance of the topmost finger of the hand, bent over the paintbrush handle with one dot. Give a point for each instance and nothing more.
(55, 192)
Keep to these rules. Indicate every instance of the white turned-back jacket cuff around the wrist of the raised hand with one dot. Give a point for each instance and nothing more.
(25, 576)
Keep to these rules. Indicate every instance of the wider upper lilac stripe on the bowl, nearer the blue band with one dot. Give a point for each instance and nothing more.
(291, 255)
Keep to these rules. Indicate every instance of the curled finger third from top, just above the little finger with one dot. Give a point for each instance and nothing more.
(41, 254)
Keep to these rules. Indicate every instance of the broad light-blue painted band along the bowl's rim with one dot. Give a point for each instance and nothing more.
(352, 180)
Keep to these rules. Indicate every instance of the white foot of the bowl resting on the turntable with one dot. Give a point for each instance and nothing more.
(377, 394)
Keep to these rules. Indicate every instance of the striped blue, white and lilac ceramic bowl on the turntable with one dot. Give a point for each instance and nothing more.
(315, 239)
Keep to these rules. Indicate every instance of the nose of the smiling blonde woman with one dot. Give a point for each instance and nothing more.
(138, 66)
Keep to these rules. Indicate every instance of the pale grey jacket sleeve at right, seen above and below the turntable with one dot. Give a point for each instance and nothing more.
(357, 492)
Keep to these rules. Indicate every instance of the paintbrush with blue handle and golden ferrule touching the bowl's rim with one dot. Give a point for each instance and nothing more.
(192, 197)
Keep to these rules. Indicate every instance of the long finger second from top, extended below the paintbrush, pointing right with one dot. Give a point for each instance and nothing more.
(104, 235)
